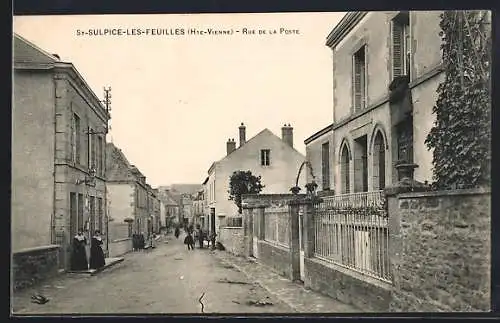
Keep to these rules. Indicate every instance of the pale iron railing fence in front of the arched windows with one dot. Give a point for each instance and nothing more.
(351, 231)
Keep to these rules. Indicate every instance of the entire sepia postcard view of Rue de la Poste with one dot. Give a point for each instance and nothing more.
(251, 163)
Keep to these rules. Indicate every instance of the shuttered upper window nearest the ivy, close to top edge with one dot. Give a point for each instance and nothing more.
(401, 45)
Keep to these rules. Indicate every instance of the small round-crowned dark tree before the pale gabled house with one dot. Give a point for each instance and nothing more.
(243, 182)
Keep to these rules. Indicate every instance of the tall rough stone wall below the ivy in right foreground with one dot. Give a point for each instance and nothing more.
(441, 251)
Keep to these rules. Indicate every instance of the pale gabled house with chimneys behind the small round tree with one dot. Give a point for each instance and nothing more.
(266, 155)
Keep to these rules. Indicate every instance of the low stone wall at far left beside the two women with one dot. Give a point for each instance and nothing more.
(32, 265)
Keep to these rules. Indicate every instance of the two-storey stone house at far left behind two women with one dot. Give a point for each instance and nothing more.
(59, 127)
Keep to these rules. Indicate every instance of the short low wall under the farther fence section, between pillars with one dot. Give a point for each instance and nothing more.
(276, 257)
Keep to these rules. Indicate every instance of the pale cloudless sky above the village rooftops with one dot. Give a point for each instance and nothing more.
(177, 99)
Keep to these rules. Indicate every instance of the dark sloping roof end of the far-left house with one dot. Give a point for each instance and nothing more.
(25, 51)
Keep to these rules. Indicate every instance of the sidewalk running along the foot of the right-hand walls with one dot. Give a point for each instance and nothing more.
(293, 294)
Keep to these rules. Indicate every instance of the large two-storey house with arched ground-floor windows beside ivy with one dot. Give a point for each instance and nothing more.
(375, 55)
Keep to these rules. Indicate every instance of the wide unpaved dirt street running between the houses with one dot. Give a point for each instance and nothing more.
(172, 279)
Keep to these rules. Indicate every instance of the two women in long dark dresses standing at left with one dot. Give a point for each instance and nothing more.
(79, 255)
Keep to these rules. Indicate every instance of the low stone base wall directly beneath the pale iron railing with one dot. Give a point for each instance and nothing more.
(366, 293)
